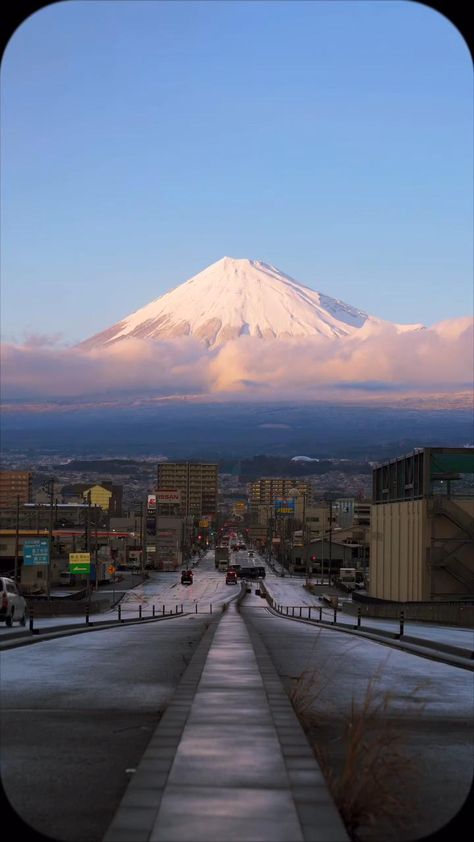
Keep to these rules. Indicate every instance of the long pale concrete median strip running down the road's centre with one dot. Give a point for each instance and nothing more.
(229, 759)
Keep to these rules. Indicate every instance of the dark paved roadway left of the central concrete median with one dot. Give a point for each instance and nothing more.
(77, 715)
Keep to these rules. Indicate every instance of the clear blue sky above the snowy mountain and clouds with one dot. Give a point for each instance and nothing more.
(142, 141)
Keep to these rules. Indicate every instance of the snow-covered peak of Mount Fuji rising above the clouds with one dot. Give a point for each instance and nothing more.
(241, 297)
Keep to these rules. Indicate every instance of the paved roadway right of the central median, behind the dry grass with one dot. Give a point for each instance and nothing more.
(428, 705)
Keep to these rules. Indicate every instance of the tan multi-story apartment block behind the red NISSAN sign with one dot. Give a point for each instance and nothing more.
(196, 484)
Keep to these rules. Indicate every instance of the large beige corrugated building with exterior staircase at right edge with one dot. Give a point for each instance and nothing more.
(422, 526)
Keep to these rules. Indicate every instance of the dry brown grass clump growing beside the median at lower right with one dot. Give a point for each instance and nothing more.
(373, 782)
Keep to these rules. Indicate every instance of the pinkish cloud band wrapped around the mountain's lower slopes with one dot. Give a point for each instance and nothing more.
(438, 359)
